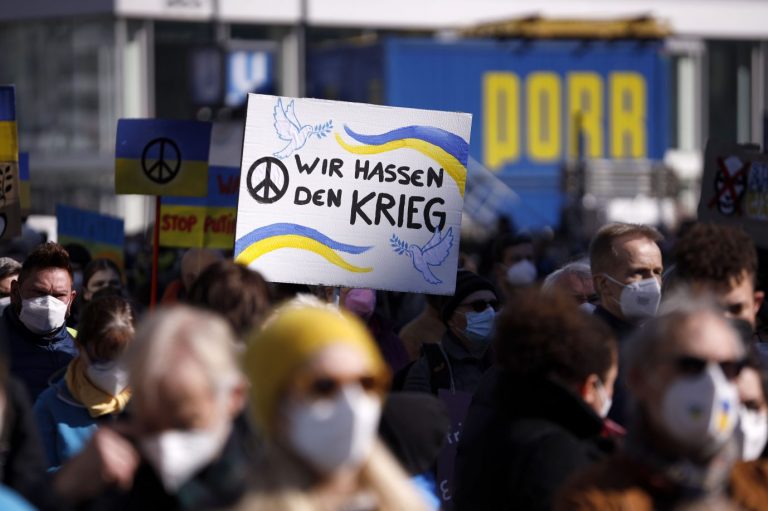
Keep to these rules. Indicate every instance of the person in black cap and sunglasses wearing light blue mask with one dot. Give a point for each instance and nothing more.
(462, 356)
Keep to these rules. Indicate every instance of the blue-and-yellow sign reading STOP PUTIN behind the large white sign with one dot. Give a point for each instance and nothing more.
(205, 221)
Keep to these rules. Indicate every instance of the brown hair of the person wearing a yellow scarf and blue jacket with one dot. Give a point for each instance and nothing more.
(106, 326)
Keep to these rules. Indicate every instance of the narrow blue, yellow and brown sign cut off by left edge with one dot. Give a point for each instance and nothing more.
(10, 208)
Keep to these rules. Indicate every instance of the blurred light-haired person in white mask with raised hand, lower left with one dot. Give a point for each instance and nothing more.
(185, 445)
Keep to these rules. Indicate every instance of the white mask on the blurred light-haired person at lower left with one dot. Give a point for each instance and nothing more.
(178, 455)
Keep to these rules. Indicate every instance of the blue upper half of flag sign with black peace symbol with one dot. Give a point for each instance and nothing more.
(192, 137)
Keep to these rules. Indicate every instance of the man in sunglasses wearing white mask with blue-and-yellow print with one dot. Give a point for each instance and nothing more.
(680, 450)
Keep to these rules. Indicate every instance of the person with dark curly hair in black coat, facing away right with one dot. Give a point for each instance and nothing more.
(538, 417)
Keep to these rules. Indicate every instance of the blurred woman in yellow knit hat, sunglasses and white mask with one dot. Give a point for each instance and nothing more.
(317, 387)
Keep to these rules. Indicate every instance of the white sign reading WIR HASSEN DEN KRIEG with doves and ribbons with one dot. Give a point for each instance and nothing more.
(353, 195)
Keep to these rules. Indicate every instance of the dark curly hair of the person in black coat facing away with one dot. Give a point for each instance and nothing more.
(540, 336)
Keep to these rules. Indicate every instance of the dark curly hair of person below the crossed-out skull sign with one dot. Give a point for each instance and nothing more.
(715, 253)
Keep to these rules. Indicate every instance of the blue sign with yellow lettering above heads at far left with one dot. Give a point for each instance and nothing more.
(102, 235)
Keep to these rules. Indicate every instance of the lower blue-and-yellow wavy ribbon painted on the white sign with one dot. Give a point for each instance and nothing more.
(272, 237)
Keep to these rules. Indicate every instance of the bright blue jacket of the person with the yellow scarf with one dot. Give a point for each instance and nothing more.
(65, 425)
